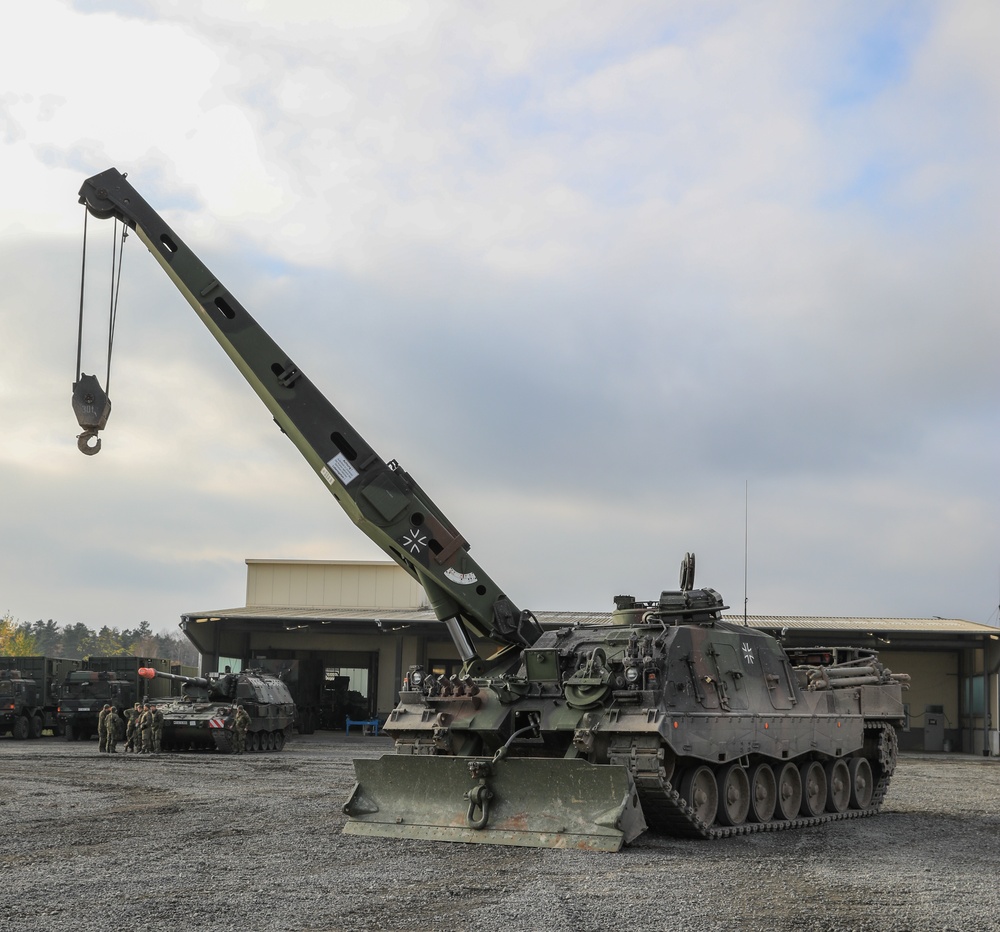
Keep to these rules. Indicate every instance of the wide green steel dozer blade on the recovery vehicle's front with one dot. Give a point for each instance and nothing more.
(533, 802)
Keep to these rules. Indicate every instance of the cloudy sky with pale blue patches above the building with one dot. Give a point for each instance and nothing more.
(612, 282)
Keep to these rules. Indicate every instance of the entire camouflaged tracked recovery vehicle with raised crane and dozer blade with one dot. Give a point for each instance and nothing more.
(670, 717)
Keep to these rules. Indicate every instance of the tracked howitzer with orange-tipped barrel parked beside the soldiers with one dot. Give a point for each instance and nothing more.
(201, 718)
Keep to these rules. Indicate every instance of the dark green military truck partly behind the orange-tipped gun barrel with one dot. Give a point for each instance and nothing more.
(114, 680)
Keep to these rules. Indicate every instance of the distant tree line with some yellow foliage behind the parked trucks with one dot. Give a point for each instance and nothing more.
(75, 642)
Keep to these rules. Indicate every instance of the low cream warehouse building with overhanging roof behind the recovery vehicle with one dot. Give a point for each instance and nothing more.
(365, 623)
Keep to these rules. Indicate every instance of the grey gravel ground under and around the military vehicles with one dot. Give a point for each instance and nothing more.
(208, 842)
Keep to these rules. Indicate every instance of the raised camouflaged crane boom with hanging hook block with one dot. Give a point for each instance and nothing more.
(378, 496)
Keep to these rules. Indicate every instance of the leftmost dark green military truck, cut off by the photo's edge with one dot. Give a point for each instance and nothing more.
(29, 694)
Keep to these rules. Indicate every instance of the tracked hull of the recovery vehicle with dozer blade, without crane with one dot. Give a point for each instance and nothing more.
(698, 731)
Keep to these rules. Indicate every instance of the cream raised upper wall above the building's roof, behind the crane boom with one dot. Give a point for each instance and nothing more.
(331, 584)
